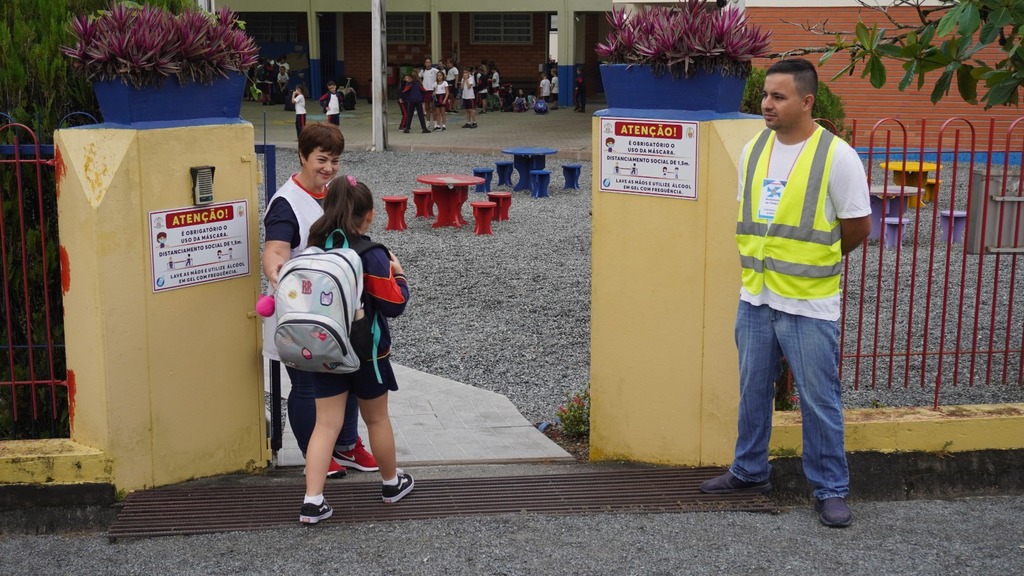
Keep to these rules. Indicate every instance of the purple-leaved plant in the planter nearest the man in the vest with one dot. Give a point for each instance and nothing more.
(685, 38)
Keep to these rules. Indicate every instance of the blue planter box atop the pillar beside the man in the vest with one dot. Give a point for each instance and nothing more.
(636, 88)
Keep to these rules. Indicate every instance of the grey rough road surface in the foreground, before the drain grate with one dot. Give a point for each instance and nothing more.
(969, 537)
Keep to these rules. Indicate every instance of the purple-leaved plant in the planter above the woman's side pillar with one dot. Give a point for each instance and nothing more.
(144, 46)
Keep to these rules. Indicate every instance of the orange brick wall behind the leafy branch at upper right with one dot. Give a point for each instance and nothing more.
(861, 100)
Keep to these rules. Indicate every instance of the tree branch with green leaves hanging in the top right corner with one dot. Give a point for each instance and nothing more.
(949, 37)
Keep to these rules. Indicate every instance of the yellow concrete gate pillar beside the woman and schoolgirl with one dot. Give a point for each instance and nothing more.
(166, 383)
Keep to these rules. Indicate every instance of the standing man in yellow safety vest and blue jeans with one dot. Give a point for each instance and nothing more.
(803, 204)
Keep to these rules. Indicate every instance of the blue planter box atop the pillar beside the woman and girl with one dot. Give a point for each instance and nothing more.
(172, 103)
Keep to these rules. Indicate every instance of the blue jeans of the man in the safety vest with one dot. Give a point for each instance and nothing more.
(812, 348)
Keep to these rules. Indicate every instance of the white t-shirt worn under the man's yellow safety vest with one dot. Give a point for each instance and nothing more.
(847, 198)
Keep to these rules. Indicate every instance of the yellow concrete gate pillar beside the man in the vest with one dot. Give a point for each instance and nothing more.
(665, 290)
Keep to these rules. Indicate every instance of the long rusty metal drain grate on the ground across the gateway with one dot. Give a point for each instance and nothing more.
(205, 510)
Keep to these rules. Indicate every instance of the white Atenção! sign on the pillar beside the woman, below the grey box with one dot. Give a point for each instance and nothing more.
(197, 245)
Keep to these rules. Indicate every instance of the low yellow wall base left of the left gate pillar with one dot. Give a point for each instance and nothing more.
(47, 462)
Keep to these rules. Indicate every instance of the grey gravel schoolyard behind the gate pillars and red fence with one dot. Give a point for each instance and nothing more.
(510, 313)
